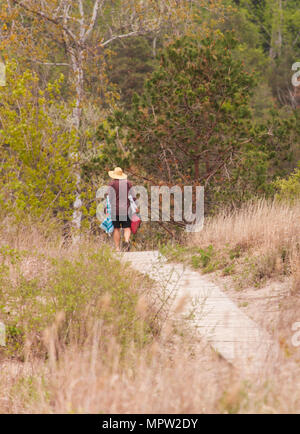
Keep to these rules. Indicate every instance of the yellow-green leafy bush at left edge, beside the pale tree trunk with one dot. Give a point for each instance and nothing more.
(36, 148)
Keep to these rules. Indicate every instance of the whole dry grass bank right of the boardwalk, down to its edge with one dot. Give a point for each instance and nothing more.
(267, 234)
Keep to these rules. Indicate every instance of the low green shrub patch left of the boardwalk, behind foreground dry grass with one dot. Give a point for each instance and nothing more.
(87, 287)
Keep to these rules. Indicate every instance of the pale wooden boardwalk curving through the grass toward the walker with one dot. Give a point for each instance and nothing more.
(213, 315)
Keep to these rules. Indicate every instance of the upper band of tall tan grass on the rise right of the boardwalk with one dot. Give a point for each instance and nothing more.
(268, 232)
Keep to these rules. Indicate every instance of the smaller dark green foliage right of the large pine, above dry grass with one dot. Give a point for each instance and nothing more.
(268, 153)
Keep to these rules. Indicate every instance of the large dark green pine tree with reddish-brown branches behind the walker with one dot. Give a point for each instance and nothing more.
(195, 103)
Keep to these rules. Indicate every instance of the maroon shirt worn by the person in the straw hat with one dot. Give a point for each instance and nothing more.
(119, 201)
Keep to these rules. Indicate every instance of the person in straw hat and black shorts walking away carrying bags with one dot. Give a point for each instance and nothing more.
(120, 206)
